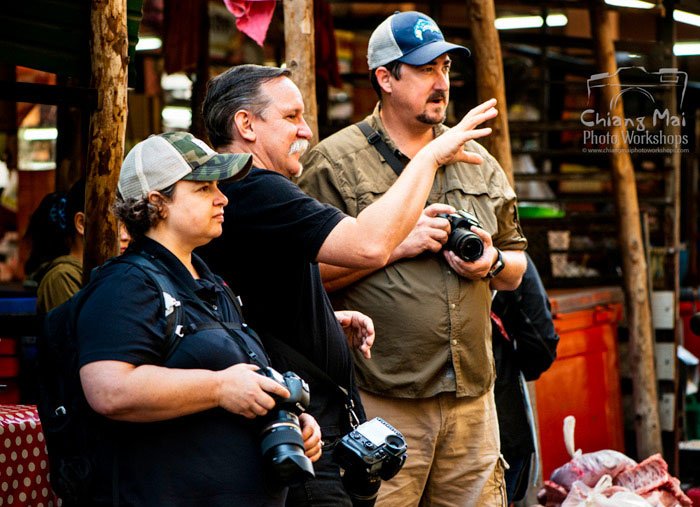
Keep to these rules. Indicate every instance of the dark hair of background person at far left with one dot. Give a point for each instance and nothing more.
(51, 230)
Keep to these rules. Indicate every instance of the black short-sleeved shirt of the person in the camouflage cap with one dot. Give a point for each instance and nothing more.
(209, 458)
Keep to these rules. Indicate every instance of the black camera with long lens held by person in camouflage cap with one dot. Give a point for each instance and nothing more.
(281, 443)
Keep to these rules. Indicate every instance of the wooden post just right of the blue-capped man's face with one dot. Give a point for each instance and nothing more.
(486, 51)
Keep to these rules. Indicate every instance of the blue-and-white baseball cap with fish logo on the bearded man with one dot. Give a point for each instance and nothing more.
(409, 37)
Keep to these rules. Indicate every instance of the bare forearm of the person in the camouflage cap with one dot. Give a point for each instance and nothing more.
(147, 393)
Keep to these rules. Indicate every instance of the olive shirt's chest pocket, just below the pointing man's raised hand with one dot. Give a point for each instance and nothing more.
(471, 195)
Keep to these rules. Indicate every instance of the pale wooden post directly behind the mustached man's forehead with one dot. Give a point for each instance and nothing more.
(300, 55)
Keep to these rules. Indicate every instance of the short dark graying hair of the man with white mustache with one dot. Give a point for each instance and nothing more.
(236, 89)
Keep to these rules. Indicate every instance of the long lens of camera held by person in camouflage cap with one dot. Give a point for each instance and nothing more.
(282, 448)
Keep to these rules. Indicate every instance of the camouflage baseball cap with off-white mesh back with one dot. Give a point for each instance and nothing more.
(164, 159)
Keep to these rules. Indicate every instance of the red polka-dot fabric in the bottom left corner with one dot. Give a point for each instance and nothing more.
(24, 475)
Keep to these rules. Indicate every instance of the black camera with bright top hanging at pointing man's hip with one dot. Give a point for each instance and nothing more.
(373, 451)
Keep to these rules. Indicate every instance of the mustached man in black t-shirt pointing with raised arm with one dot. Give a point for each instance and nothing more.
(274, 236)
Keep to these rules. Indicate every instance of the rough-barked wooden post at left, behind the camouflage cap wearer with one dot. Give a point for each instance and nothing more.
(109, 57)
